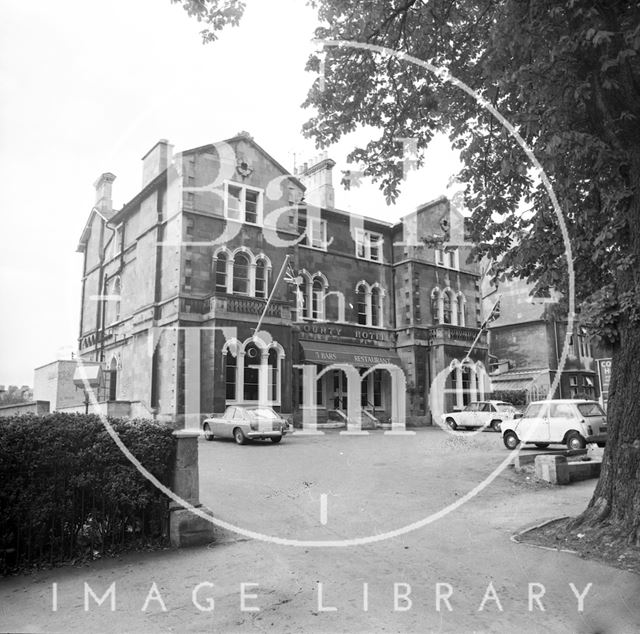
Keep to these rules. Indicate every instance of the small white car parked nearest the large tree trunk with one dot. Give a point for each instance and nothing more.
(573, 422)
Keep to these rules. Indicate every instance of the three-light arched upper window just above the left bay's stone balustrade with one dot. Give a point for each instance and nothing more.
(241, 272)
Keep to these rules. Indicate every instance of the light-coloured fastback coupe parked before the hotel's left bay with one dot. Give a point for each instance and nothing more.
(243, 423)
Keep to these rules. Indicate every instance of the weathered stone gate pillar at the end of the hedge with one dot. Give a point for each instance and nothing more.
(185, 527)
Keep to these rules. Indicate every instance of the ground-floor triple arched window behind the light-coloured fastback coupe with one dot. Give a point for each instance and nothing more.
(253, 371)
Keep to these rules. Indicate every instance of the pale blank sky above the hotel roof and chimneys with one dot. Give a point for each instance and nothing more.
(88, 87)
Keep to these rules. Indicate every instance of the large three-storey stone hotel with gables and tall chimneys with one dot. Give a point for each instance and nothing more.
(174, 284)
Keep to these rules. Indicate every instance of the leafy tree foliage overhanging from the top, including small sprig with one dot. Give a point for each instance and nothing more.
(564, 74)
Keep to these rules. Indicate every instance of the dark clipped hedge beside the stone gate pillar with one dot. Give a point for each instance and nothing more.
(67, 492)
